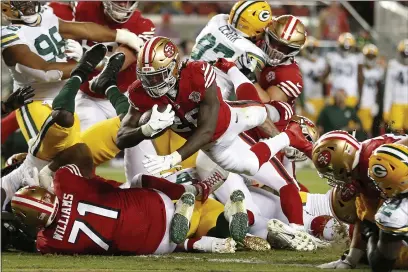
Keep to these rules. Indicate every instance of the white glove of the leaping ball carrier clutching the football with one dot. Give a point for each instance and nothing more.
(158, 121)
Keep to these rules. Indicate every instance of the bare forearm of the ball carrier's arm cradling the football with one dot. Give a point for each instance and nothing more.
(130, 134)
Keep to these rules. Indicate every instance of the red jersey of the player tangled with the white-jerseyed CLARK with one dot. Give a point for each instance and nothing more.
(288, 78)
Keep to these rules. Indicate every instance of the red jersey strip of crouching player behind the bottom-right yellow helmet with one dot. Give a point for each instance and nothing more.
(368, 147)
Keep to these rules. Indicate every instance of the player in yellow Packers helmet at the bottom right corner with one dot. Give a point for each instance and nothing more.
(388, 167)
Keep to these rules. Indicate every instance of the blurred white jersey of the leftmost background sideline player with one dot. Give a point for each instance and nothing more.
(311, 70)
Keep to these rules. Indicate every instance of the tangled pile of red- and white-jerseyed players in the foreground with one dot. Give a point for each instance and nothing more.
(241, 152)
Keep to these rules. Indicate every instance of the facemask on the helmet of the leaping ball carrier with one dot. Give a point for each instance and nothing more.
(160, 82)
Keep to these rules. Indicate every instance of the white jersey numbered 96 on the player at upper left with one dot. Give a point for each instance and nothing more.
(45, 41)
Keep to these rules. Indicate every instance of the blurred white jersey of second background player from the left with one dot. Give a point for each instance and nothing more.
(344, 72)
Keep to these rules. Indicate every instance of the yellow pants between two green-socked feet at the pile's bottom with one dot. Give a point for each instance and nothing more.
(204, 217)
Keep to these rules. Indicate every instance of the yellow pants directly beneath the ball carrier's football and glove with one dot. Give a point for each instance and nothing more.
(170, 142)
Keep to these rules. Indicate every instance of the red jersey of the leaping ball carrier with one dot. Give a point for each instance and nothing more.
(194, 79)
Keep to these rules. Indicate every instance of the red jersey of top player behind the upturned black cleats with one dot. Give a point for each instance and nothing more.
(93, 11)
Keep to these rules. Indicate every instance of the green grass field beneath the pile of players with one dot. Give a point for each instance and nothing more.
(275, 260)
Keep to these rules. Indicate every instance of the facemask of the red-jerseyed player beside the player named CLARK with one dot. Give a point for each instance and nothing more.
(277, 51)
